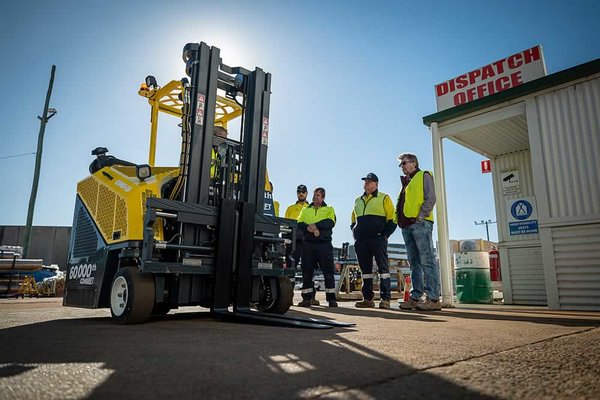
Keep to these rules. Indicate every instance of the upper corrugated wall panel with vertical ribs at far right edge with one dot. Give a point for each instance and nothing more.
(570, 144)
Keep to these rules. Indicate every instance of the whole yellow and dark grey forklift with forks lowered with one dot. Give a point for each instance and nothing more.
(149, 239)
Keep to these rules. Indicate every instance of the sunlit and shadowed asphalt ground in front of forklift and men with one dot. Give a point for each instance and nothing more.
(468, 352)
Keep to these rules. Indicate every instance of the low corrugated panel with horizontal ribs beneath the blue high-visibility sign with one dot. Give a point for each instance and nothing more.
(527, 275)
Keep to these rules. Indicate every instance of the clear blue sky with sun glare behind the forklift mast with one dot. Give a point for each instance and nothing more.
(351, 83)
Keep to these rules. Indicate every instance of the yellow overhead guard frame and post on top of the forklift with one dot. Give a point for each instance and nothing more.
(167, 99)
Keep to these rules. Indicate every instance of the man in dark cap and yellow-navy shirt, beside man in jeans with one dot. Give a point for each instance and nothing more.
(372, 225)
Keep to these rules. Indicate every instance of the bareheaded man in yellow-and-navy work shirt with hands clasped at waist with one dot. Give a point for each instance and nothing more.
(316, 222)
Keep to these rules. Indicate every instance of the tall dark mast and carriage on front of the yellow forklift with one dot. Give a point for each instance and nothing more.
(214, 217)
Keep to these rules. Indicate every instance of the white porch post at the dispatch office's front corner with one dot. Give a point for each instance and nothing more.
(442, 218)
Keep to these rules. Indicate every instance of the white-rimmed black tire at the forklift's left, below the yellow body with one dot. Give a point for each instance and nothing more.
(131, 296)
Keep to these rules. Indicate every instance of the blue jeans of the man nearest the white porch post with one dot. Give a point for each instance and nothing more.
(424, 270)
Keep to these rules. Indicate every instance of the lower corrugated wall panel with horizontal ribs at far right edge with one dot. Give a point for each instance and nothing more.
(577, 263)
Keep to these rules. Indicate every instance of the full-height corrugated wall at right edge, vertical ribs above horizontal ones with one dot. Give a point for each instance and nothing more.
(569, 144)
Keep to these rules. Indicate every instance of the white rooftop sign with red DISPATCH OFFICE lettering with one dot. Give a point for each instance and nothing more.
(503, 74)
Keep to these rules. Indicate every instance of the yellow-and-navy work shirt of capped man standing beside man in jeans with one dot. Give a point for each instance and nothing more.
(373, 215)
